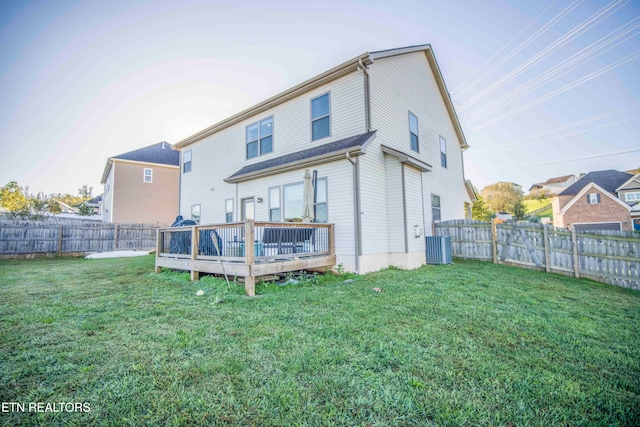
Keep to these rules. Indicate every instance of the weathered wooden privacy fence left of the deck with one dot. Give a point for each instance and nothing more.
(23, 238)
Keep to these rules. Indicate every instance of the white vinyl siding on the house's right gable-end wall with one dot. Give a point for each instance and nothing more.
(399, 84)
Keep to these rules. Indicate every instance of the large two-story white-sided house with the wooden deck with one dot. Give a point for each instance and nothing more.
(382, 134)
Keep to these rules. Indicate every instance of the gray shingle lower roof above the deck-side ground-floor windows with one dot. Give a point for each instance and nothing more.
(321, 150)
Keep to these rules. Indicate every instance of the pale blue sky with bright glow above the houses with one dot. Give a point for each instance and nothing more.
(542, 89)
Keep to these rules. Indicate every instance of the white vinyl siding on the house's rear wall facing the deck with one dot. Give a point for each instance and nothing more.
(224, 153)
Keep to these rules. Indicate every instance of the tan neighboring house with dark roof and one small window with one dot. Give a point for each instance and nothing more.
(142, 185)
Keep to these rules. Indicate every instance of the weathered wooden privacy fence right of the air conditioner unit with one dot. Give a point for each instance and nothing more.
(611, 257)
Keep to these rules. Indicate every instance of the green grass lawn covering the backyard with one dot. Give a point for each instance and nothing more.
(467, 344)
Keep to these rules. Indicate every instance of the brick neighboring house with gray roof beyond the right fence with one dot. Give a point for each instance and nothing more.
(599, 200)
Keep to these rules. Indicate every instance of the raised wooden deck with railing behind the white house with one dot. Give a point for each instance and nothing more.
(246, 249)
